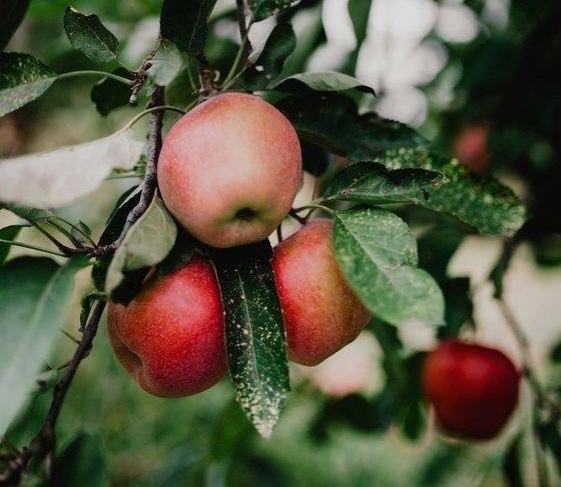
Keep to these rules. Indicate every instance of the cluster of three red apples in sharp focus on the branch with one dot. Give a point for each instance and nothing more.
(228, 172)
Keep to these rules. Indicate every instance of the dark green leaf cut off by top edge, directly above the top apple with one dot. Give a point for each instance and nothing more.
(186, 23)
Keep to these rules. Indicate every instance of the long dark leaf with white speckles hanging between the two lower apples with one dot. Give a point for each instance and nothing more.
(254, 333)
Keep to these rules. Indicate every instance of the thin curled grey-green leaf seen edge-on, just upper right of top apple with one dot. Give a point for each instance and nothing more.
(322, 81)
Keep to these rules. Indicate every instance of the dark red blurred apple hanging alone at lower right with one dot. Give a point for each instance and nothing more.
(474, 389)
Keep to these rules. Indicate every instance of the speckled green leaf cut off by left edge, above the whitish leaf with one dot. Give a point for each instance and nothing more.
(22, 80)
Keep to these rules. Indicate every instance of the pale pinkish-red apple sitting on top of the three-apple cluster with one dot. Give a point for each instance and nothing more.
(229, 169)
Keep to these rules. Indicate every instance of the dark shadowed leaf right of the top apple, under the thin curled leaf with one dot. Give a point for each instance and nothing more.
(332, 121)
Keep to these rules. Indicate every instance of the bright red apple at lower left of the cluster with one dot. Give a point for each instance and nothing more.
(170, 337)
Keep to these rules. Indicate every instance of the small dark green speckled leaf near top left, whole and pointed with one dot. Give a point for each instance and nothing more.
(87, 34)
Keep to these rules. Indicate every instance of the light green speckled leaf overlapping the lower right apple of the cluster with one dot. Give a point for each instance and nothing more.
(378, 256)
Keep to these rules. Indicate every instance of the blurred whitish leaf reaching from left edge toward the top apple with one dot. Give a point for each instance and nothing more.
(56, 178)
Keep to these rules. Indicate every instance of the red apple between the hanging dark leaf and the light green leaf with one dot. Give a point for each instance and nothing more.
(321, 312)
